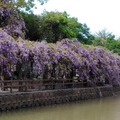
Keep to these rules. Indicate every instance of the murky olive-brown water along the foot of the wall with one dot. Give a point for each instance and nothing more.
(103, 109)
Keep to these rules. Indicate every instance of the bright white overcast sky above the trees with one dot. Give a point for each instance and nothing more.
(97, 14)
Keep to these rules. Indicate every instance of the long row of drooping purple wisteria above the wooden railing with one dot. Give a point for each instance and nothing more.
(26, 59)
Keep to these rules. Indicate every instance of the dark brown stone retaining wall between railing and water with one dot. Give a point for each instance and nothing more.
(42, 98)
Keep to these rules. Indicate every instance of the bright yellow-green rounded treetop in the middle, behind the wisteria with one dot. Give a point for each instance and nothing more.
(57, 25)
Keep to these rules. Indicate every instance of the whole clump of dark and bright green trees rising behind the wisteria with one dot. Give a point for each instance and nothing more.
(54, 26)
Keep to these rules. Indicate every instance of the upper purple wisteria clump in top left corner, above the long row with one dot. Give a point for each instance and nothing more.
(10, 20)
